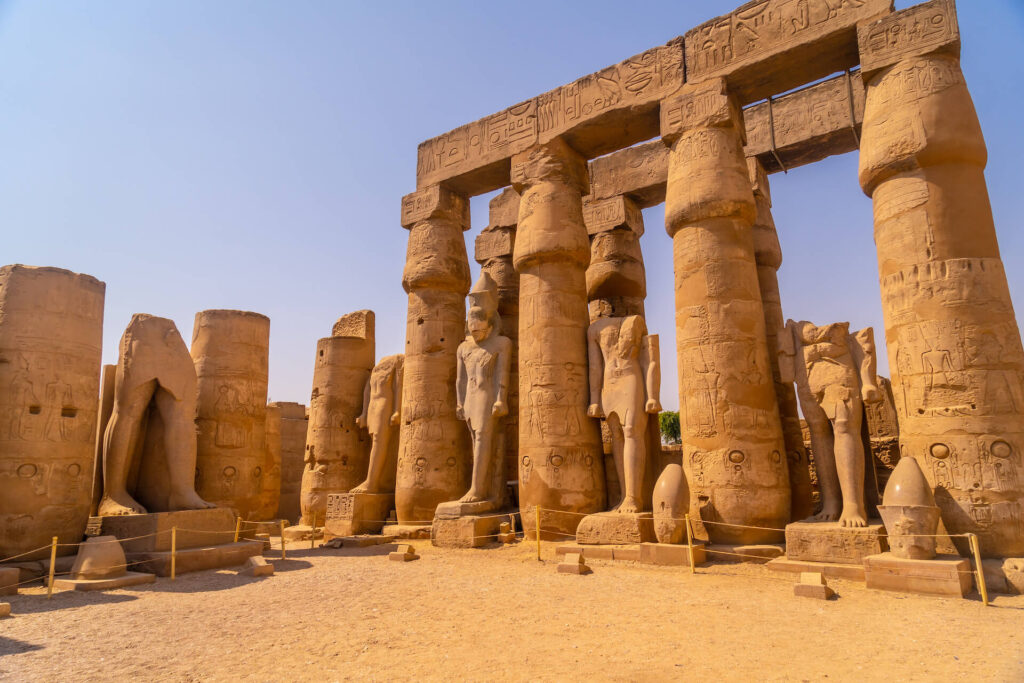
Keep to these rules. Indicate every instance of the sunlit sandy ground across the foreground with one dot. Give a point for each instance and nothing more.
(500, 615)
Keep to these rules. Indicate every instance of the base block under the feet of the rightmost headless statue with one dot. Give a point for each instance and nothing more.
(828, 542)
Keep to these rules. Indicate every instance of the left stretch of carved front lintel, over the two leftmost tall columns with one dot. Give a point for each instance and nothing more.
(598, 114)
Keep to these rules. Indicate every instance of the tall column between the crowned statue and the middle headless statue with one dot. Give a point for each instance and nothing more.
(561, 464)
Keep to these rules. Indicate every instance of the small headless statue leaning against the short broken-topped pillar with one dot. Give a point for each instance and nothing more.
(381, 413)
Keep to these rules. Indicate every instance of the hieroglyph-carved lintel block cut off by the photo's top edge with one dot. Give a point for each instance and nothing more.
(770, 47)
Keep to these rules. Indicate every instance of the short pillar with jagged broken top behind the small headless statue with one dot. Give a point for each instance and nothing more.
(337, 450)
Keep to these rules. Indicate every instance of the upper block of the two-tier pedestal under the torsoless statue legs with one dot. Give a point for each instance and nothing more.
(196, 529)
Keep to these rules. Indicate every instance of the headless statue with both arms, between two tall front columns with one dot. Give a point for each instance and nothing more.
(625, 388)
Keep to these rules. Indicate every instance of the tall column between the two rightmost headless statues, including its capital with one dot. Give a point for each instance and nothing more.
(733, 437)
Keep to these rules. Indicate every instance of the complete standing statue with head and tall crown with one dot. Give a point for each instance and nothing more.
(484, 366)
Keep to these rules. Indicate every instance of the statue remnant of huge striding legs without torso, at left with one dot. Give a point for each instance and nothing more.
(155, 372)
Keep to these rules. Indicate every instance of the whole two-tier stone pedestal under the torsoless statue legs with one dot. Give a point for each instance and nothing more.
(204, 540)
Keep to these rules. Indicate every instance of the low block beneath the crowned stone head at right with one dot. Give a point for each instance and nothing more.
(947, 575)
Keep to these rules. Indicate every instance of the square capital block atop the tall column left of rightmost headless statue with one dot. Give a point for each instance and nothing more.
(705, 105)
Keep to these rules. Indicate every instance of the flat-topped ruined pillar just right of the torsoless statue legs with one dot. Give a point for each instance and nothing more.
(231, 350)
